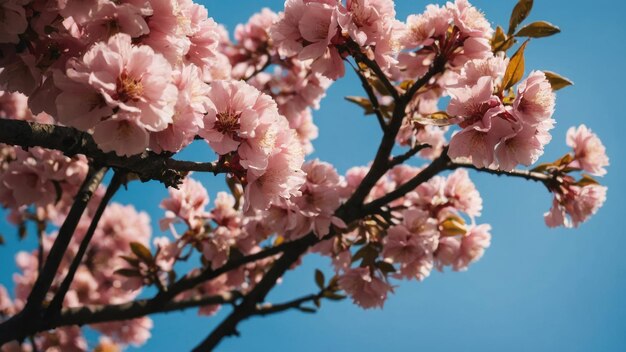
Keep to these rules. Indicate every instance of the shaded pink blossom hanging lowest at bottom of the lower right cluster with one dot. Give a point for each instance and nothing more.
(366, 289)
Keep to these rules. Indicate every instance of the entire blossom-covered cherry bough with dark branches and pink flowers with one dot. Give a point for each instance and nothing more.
(98, 86)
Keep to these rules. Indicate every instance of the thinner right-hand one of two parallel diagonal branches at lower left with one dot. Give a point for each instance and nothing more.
(55, 306)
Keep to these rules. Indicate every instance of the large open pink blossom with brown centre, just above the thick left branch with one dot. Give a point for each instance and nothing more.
(131, 79)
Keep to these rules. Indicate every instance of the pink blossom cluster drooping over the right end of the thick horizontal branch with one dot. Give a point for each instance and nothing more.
(243, 125)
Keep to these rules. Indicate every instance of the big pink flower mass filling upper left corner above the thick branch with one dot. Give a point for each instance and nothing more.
(133, 72)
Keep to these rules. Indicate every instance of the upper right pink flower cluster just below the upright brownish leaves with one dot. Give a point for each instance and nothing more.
(493, 134)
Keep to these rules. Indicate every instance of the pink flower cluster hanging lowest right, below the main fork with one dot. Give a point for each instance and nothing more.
(432, 234)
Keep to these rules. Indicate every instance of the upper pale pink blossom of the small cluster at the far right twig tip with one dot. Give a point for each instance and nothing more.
(589, 152)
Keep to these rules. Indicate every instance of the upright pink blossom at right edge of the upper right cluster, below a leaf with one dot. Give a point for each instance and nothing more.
(535, 99)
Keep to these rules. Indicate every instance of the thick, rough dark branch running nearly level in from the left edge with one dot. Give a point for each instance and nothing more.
(148, 165)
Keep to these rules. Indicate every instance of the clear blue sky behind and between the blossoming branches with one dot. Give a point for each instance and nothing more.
(535, 289)
